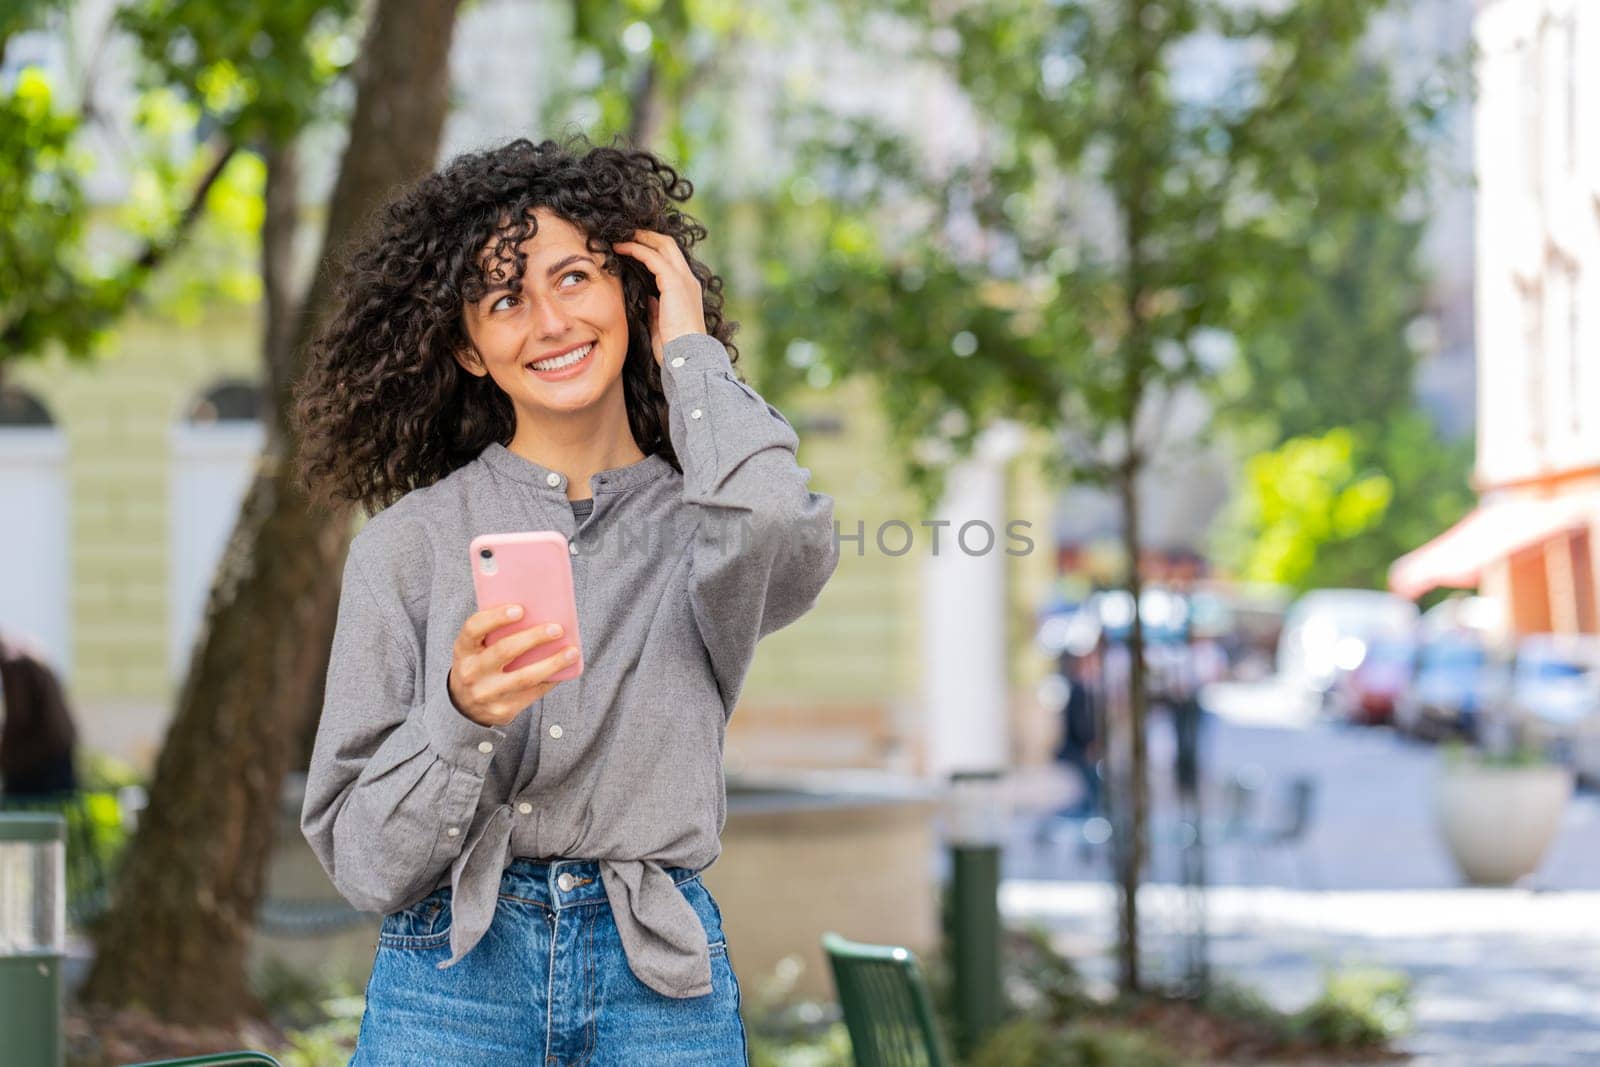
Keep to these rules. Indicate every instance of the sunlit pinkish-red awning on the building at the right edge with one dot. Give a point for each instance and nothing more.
(1490, 533)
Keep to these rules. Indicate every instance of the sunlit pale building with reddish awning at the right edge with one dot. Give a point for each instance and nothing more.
(1532, 541)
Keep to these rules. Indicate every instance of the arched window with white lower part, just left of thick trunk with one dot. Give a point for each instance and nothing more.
(215, 446)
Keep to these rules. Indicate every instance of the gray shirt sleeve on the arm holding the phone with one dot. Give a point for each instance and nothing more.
(396, 775)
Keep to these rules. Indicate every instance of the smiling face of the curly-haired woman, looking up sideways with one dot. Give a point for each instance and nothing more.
(559, 343)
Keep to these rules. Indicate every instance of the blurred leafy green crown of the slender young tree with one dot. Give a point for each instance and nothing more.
(1116, 223)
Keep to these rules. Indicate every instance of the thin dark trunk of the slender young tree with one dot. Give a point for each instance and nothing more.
(1137, 781)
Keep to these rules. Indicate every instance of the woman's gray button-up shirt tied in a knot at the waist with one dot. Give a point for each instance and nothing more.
(678, 577)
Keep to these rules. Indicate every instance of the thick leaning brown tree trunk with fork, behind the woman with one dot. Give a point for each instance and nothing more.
(178, 933)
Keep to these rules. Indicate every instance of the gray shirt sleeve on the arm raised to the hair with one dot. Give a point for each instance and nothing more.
(764, 543)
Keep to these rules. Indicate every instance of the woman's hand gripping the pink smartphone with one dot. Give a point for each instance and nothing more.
(478, 682)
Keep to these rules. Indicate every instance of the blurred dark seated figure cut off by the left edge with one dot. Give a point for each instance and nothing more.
(38, 737)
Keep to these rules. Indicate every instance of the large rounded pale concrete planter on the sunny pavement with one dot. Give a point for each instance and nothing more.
(1500, 821)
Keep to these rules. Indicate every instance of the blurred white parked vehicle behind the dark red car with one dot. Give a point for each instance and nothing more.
(1329, 631)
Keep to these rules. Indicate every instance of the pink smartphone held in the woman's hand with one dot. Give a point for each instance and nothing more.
(534, 570)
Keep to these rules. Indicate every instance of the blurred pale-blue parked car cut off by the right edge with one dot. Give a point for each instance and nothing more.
(1551, 701)
